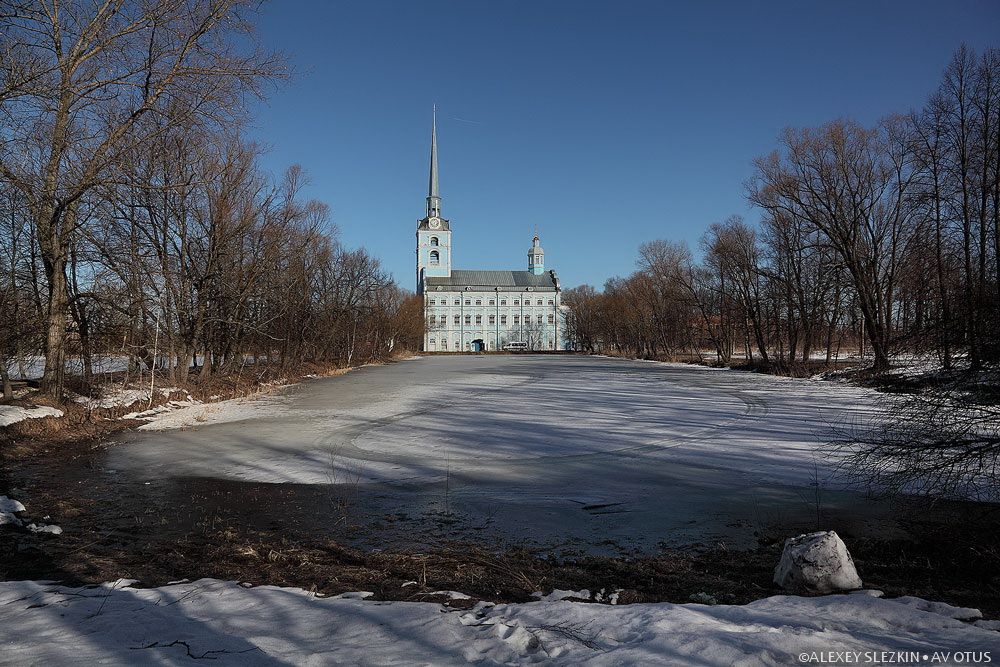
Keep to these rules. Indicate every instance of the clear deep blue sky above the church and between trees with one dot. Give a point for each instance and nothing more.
(604, 125)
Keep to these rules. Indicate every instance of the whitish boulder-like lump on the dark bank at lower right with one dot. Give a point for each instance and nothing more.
(816, 563)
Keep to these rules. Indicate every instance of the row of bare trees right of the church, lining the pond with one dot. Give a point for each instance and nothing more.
(883, 238)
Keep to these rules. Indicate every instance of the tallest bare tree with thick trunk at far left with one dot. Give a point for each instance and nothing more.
(84, 76)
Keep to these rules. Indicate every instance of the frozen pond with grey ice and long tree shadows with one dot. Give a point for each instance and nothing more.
(570, 452)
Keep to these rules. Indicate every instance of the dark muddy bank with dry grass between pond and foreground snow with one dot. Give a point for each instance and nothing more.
(112, 532)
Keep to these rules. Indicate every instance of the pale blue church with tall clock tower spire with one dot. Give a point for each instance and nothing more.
(471, 310)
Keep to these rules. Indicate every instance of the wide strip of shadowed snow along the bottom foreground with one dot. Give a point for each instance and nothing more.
(115, 624)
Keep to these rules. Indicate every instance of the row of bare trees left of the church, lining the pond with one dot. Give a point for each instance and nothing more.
(134, 218)
